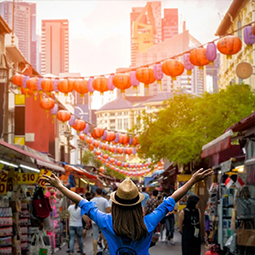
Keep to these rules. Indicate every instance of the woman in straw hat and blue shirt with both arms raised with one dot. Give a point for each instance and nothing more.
(126, 223)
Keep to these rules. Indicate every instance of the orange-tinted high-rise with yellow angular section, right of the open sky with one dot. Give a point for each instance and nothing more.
(147, 27)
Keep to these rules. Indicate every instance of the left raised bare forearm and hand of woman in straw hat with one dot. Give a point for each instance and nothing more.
(55, 182)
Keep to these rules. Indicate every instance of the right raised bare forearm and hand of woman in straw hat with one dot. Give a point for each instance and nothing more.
(196, 177)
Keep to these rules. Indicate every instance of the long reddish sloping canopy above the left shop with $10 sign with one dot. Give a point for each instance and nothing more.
(25, 156)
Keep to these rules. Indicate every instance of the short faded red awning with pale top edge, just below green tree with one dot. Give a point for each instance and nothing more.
(217, 145)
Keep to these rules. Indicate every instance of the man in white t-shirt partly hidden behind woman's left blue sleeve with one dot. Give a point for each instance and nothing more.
(103, 206)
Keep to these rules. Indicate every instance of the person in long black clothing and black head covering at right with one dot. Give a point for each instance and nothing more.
(189, 224)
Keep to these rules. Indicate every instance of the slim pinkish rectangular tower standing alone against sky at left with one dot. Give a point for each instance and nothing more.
(55, 47)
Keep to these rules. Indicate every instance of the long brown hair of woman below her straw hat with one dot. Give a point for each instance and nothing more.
(128, 221)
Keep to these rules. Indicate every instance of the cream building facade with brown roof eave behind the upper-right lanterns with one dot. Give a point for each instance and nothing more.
(238, 14)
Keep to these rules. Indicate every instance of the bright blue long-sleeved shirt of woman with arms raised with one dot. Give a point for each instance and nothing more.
(104, 222)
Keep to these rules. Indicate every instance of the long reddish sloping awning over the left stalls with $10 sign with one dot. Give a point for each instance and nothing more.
(10, 150)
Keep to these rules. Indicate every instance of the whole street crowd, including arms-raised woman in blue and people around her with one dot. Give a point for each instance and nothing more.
(149, 215)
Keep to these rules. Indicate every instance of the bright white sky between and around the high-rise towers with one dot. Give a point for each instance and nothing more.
(99, 31)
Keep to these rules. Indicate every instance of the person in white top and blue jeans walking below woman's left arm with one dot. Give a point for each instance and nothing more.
(75, 228)
